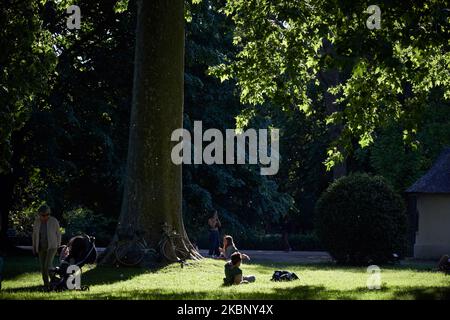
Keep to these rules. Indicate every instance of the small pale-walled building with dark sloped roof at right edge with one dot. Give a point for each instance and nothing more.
(432, 209)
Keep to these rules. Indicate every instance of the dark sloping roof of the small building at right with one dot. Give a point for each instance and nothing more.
(437, 179)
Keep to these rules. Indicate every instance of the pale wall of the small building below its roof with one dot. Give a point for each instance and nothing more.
(433, 235)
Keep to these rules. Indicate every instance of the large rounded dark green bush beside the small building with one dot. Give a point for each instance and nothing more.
(360, 219)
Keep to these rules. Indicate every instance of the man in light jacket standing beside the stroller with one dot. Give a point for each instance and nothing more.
(46, 240)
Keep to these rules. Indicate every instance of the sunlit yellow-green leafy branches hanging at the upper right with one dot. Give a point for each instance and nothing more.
(384, 74)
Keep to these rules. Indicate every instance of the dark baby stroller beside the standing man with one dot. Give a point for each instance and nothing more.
(79, 251)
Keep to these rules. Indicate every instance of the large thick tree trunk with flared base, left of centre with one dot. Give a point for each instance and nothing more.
(153, 187)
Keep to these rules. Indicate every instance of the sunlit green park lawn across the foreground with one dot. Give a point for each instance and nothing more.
(203, 280)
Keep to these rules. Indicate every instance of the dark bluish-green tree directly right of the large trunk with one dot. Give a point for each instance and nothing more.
(249, 204)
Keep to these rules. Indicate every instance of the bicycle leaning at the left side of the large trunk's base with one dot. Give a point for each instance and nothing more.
(131, 252)
